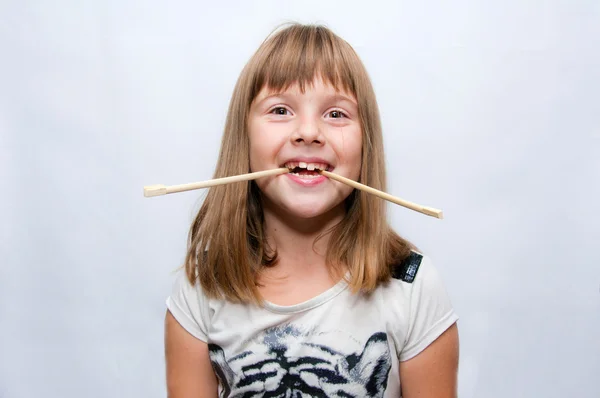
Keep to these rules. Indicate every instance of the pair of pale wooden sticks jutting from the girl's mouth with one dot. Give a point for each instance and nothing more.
(157, 190)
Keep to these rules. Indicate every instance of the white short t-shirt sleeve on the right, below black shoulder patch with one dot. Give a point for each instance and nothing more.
(430, 311)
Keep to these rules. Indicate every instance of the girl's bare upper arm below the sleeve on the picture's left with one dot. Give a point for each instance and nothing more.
(189, 371)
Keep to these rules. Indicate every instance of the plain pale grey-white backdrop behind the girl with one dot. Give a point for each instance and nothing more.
(490, 112)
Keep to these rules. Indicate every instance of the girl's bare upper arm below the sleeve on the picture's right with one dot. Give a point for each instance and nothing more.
(433, 373)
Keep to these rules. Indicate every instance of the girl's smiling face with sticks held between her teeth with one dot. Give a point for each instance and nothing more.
(316, 129)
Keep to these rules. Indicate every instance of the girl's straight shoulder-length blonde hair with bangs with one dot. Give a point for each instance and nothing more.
(227, 246)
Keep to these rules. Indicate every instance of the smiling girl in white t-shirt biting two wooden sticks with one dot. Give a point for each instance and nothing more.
(295, 285)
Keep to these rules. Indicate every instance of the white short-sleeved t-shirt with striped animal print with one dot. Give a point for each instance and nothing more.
(337, 344)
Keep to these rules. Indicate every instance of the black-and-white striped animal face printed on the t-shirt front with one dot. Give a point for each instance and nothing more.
(286, 362)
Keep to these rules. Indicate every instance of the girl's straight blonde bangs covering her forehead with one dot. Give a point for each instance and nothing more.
(298, 55)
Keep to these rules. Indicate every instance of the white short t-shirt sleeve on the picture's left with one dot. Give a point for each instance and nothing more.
(187, 304)
